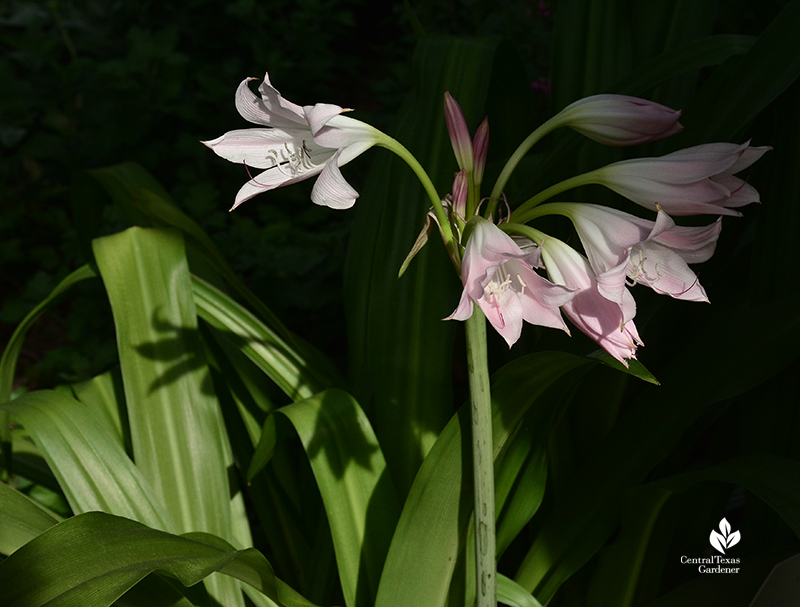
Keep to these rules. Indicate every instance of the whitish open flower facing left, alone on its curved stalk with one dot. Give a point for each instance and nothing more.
(297, 143)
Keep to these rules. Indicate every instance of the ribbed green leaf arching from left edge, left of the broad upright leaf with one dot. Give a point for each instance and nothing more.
(87, 458)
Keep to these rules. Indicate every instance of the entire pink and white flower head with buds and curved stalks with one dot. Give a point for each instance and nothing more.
(620, 250)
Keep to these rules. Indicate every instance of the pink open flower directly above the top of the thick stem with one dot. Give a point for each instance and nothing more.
(498, 275)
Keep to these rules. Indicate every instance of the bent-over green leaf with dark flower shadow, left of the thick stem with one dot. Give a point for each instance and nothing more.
(360, 500)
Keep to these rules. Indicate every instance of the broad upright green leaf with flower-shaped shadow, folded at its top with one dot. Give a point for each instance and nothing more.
(177, 431)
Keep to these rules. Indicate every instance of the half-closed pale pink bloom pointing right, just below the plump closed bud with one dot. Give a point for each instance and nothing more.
(695, 181)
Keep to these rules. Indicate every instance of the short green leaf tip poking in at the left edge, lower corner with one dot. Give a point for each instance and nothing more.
(23, 519)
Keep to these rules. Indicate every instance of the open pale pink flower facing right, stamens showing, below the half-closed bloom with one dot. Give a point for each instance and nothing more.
(624, 248)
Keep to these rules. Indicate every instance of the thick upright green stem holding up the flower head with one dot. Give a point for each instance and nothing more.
(482, 461)
